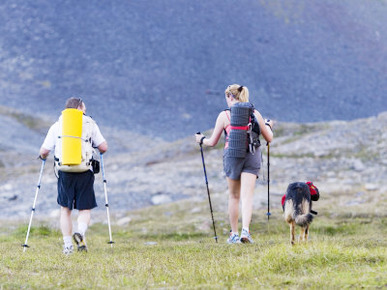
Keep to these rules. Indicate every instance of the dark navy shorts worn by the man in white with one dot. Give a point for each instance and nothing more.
(76, 190)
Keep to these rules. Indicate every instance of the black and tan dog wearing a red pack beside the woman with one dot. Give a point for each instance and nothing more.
(297, 207)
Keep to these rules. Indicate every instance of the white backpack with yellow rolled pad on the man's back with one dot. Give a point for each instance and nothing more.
(73, 147)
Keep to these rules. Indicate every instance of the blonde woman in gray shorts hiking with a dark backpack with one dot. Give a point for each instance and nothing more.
(241, 172)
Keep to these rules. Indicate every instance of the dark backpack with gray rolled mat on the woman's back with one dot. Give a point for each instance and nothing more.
(245, 130)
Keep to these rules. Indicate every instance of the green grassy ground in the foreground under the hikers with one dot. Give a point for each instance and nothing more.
(173, 247)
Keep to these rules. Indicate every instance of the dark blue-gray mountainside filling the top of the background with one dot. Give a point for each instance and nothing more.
(135, 62)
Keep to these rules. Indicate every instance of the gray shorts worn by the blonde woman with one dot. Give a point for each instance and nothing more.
(233, 167)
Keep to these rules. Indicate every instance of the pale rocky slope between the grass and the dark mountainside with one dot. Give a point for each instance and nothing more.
(340, 157)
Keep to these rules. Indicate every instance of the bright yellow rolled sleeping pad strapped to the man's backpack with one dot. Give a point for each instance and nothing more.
(71, 136)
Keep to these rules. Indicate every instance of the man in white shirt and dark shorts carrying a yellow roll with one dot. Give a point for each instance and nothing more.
(75, 179)
